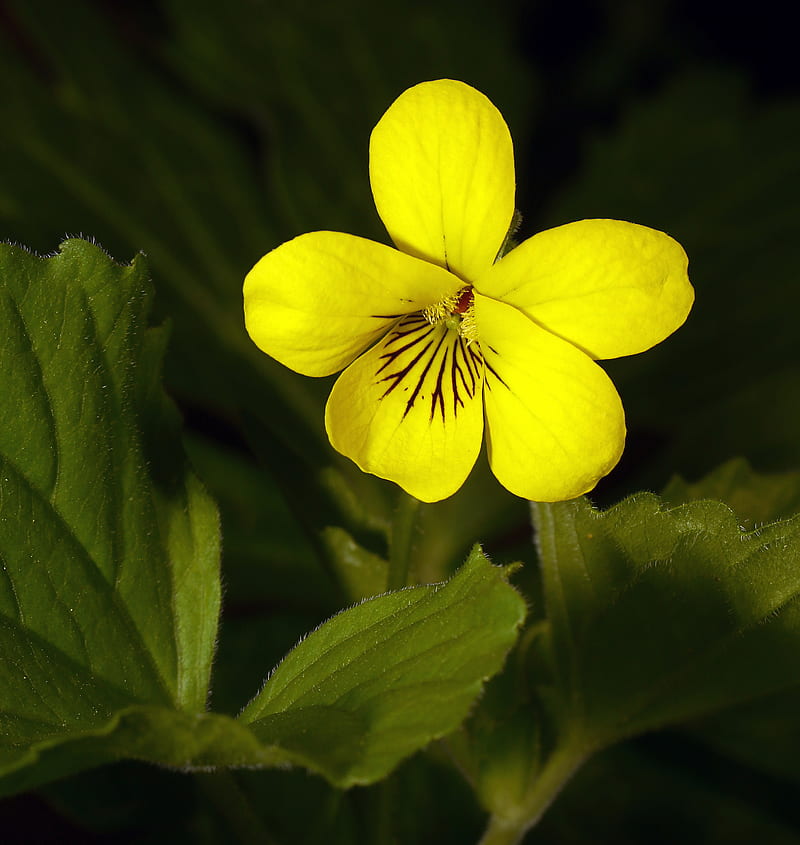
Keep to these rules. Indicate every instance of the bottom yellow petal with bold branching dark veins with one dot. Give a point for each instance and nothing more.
(410, 409)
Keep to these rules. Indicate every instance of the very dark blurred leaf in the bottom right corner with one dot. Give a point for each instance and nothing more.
(652, 791)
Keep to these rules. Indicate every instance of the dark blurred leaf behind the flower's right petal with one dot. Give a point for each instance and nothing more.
(703, 161)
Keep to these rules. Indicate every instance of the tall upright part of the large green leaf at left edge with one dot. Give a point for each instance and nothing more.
(109, 588)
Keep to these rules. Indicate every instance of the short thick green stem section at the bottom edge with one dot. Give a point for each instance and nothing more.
(509, 829)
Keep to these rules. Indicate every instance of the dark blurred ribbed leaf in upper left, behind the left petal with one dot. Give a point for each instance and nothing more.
(120, 151)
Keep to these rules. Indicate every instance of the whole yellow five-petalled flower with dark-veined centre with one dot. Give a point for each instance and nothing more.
(440, 338)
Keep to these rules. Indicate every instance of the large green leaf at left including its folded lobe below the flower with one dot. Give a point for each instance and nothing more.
(110, 591)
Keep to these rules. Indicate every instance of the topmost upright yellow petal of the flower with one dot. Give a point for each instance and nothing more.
(441, 165)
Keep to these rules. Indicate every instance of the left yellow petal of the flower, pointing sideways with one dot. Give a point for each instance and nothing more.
(316, 302)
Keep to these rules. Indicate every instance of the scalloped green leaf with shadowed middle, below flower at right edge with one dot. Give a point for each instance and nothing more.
(660, 615)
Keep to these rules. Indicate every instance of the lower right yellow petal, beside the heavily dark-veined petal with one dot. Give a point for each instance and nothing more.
(554, 422)
